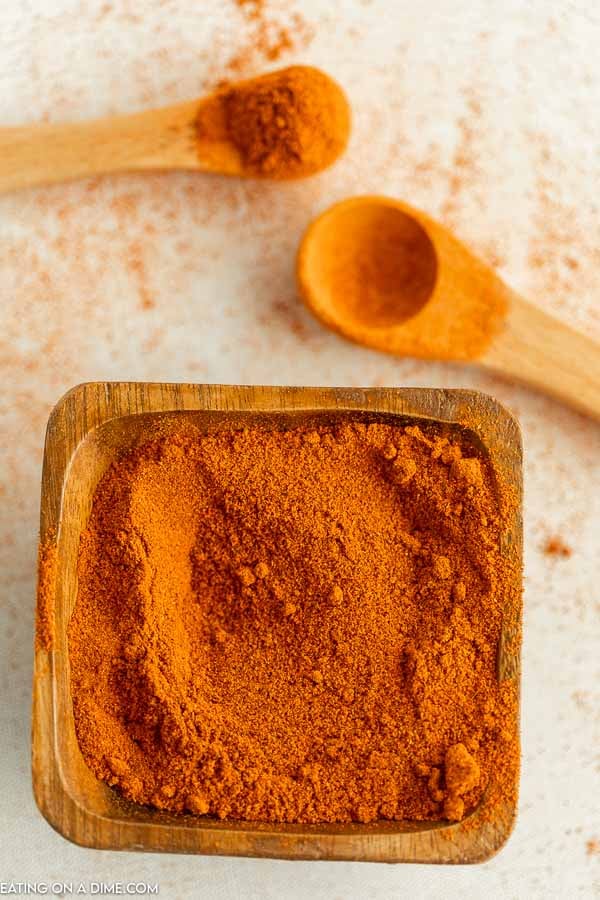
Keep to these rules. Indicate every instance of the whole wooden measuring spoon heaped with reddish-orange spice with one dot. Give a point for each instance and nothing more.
(197, 135)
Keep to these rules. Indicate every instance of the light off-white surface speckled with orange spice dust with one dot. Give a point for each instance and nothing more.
(484, 114)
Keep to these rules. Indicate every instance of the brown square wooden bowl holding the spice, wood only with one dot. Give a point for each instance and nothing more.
(87, 429)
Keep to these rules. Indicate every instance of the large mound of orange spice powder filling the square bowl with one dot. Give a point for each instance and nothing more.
(297, 626)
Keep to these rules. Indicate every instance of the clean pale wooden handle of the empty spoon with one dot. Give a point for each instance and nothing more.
(537, 349)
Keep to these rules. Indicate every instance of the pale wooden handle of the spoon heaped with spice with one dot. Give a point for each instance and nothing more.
(46, 154)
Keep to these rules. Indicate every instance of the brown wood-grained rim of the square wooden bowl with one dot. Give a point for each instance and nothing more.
(86, 409)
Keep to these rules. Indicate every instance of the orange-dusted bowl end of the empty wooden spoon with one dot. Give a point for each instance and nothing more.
(383, 274)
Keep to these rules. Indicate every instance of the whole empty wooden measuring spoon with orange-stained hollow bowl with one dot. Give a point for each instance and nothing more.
(386, 275)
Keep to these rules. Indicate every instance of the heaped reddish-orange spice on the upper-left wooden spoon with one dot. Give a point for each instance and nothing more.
(287, 124)
